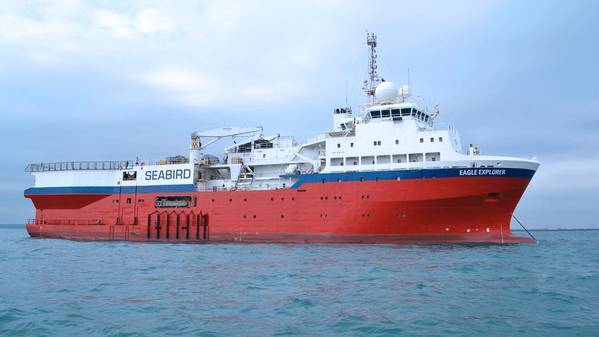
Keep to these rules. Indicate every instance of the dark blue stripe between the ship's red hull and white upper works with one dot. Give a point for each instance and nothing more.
(303, 179)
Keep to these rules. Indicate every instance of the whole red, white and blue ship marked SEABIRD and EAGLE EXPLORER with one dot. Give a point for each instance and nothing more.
(384, 175)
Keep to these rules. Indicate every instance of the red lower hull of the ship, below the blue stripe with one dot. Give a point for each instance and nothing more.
(450, 209)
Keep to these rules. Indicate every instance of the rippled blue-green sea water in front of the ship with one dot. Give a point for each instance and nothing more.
(67, 288)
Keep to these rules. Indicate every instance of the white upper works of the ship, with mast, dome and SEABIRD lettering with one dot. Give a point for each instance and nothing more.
(389, 133)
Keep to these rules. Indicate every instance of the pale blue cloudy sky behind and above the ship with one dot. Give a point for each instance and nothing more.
(102, 80)
